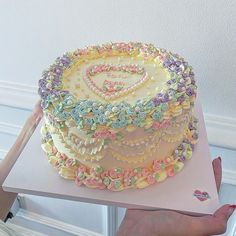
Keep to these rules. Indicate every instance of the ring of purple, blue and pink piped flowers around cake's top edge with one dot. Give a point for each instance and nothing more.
(63, 109)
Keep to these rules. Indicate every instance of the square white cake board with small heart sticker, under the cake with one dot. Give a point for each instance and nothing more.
(32, 174)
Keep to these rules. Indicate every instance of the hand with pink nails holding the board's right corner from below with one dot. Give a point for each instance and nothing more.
(171, 223)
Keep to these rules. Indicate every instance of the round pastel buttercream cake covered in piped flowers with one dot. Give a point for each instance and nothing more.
(118, 115)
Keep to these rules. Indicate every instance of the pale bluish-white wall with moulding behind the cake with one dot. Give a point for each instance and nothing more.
(33, 33)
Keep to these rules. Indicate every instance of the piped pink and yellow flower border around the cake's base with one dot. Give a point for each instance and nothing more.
(118, 178)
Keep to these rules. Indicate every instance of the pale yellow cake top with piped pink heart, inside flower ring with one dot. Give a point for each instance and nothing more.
(113, 76)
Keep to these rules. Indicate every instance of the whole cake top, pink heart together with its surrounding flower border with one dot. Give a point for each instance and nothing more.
(117, 85)
